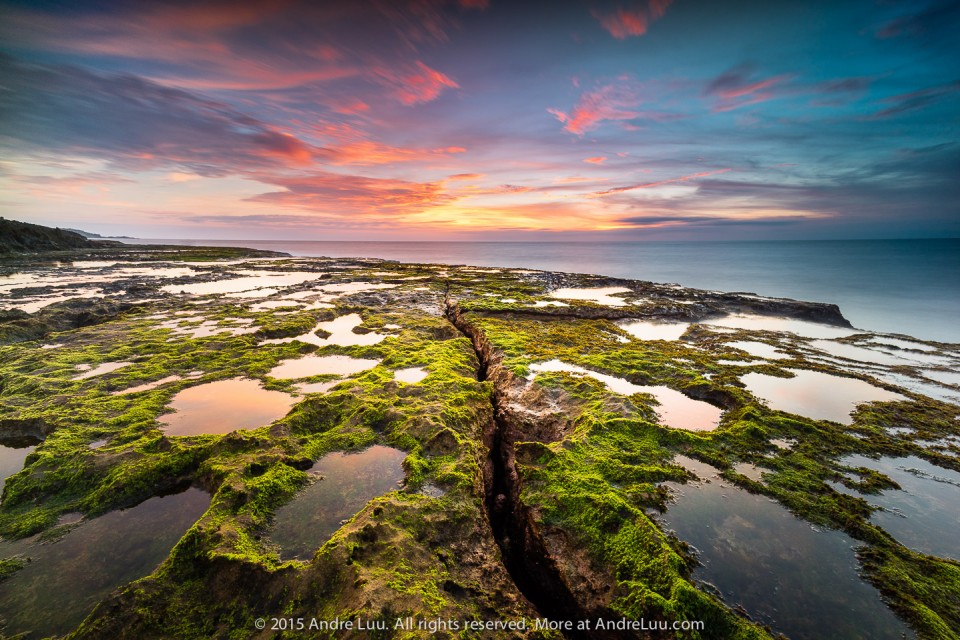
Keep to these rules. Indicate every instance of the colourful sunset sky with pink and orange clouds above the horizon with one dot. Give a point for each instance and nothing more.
(483, 119)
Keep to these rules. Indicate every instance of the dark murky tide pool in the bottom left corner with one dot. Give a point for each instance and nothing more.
(66, 579)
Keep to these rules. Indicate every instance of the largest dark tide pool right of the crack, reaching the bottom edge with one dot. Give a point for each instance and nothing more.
(798, 579)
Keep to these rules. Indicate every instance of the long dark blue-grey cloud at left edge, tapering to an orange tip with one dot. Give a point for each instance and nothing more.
(136, 124)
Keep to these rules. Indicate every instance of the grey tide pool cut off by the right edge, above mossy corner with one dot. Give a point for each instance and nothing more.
(925, 515)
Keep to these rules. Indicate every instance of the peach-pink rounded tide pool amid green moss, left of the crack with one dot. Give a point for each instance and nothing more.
(224, 406)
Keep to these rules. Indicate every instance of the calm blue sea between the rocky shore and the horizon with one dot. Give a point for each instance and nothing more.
(897, 286)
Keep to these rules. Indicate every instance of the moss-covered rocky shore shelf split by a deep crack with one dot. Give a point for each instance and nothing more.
(527, 491)
